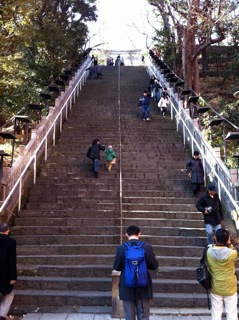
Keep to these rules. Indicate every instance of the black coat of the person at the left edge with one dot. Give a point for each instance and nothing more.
(8, 269)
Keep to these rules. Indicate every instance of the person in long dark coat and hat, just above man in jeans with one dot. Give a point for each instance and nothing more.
(195, 172)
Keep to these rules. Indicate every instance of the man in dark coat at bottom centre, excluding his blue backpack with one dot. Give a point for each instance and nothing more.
(135, 300)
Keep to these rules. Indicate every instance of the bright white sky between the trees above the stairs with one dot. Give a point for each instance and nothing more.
(115, 25)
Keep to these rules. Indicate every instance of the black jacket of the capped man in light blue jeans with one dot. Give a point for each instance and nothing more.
(216, 215)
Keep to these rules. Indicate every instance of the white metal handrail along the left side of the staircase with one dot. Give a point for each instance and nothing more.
(45, 135)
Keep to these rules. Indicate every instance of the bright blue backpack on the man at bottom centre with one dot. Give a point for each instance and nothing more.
(135, 272)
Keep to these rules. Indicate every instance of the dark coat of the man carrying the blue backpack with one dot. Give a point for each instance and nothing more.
(126, 293)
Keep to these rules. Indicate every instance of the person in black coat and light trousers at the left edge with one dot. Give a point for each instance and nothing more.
(8, 269)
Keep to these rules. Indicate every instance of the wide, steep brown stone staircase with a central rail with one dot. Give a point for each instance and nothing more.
(68, 232)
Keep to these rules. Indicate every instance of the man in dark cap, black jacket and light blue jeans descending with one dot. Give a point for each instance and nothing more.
(210, 206)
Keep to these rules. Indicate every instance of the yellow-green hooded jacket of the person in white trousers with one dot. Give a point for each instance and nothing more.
(221, 263)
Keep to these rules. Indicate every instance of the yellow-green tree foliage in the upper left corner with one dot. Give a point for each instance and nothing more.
(38, 40)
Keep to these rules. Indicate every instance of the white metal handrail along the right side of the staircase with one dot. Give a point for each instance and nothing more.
(214, 167)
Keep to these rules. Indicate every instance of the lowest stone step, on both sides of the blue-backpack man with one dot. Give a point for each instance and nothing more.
(43, 301)
